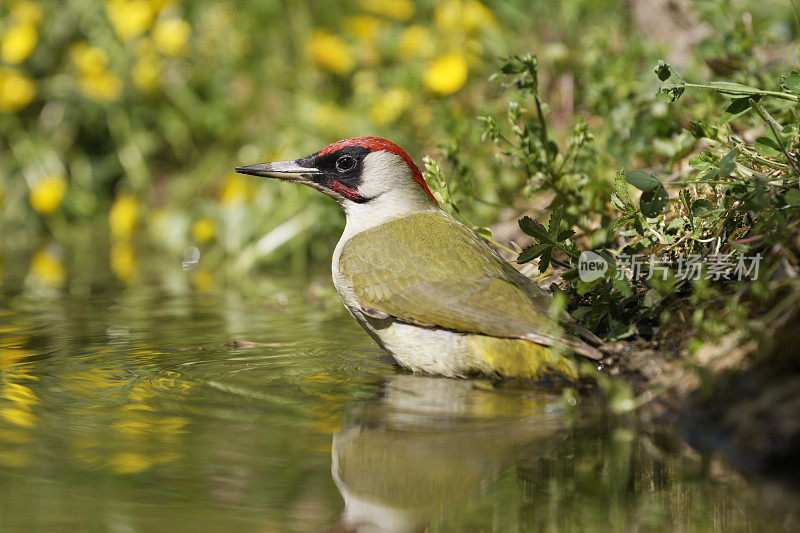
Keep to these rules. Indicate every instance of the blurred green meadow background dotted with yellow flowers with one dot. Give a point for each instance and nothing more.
(121, 121)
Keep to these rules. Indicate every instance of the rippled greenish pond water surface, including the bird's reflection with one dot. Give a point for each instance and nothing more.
(131, 410)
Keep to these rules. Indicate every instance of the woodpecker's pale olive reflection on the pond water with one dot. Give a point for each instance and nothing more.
(430, 445)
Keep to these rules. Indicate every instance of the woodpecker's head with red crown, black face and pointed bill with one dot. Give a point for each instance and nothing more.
(353, 171)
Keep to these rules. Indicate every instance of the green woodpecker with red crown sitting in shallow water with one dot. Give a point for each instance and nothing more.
(426, 288)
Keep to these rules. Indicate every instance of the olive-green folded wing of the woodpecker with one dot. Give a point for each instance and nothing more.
(449, 278)
